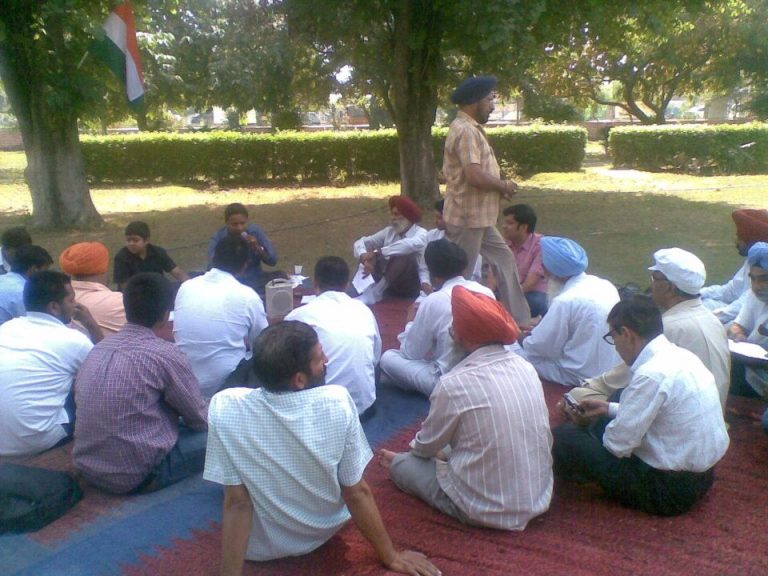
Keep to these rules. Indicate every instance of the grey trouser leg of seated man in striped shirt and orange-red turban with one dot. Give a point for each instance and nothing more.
(418, 477)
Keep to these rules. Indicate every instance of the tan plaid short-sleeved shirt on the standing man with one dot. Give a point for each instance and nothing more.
(465, 205)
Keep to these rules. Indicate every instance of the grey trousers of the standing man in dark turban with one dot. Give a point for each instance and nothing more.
(488, 243)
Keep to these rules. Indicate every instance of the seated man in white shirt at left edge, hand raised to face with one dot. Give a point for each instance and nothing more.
(39, 359)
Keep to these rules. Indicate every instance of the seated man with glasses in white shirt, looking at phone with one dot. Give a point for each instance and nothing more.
(665, 435)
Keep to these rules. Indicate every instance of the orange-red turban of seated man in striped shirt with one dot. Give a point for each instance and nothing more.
(480, 319)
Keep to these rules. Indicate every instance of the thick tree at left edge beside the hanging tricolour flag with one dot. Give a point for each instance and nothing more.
(41, 44)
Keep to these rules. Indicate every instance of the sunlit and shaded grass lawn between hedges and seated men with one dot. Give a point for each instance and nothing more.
(619, 216)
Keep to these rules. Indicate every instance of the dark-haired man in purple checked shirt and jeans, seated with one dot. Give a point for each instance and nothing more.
(130, 392)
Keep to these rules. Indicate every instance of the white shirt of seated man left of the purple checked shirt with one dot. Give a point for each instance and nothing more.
(39, 358)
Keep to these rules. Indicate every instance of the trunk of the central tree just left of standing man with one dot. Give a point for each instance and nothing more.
(417, 36)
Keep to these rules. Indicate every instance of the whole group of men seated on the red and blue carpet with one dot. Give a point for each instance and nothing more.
(274, 413)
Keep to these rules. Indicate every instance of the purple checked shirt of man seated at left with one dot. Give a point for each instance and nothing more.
(130, 392)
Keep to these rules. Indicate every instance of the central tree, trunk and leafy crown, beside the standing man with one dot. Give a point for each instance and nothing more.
(409, 52)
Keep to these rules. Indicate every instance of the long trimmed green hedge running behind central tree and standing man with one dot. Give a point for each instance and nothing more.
(297, 156)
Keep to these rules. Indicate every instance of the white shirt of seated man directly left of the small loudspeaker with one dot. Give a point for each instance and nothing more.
(214, 317)
